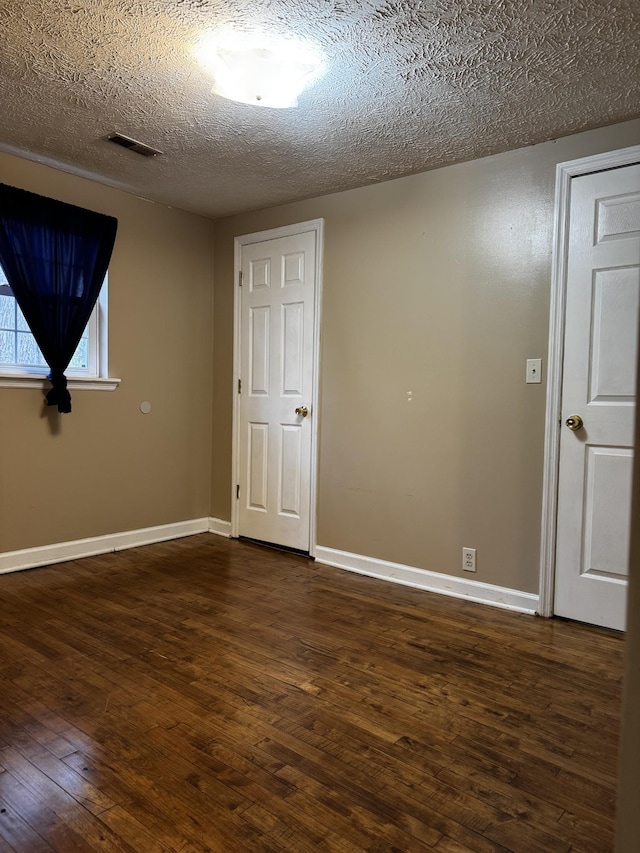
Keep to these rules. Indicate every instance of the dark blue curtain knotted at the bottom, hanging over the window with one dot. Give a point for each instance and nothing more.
(55, 257)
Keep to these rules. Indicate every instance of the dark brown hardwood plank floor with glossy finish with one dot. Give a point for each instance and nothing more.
(209, 695)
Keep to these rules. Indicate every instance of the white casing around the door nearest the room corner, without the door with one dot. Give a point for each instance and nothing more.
(317, 226)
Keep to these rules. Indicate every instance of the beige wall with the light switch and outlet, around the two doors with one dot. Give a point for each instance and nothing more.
(439, 284)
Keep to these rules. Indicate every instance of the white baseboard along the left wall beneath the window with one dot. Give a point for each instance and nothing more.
(29, 558)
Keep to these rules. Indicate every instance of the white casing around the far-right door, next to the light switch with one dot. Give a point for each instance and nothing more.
(565, 172)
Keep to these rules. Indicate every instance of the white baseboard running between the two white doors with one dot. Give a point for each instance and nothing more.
(471, 590)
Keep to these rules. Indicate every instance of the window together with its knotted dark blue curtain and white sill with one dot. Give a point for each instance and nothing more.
(57, 256)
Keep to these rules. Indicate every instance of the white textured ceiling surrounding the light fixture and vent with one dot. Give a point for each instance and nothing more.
(409, 86)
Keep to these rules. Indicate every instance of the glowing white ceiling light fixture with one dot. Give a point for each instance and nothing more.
(252, 68)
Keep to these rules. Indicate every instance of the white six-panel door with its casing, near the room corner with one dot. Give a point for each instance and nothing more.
(277, 336)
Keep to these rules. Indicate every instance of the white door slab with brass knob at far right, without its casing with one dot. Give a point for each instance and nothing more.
(598, 397)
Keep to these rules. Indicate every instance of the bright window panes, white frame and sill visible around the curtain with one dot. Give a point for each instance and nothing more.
(20, 356)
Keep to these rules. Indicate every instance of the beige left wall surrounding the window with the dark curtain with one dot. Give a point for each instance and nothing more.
(111, 468)
